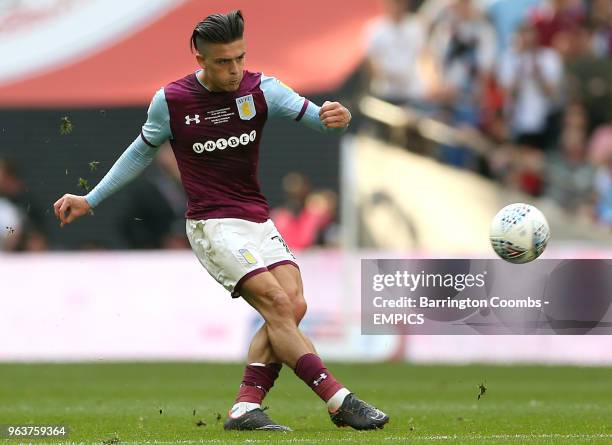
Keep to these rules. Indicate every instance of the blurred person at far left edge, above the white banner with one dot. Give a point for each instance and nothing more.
(31, 235)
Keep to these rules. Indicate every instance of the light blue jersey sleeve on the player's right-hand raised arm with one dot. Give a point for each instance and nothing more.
(285, 103)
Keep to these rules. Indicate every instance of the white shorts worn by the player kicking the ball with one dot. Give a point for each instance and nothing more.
(232, 250)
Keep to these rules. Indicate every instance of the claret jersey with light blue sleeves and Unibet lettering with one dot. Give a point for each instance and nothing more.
(215, 137)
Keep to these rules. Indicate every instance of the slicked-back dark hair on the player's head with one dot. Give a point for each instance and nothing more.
(218, 28)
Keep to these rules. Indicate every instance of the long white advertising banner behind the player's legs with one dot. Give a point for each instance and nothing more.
(164, 306)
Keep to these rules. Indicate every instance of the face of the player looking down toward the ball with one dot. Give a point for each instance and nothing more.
(223, 64)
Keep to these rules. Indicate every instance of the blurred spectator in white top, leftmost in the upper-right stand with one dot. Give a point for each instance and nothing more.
(394, 45)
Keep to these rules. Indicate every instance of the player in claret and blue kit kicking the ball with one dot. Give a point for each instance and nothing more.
(214, 120)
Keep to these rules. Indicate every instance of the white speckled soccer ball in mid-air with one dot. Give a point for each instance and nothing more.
(519, 233)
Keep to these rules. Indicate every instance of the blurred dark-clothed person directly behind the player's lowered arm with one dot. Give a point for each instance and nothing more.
(156, 208)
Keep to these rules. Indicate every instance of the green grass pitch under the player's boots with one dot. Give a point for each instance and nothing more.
(185, 403)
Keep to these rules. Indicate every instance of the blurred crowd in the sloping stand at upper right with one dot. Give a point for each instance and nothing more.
(533, 77)
